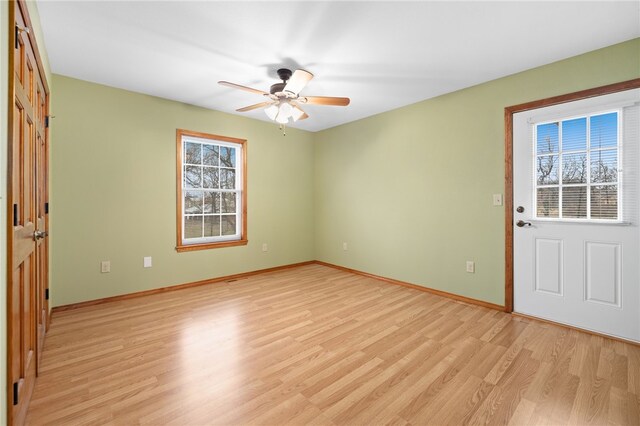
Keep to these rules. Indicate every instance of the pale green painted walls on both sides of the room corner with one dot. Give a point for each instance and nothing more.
(409, 190)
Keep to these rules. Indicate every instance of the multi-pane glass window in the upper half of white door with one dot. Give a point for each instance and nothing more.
(576, 172)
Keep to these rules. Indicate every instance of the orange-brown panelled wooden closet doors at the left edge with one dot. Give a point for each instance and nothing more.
(27, 247)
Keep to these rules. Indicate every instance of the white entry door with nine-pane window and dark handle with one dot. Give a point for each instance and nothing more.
(576, 214)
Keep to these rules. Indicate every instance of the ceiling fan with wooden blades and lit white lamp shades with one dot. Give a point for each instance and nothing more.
(284, 98)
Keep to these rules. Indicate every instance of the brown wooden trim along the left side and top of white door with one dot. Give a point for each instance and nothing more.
(508, 163)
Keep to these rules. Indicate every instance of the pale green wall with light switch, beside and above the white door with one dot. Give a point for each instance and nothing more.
(410, 190)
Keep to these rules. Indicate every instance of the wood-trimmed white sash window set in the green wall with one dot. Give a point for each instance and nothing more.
(212, 195)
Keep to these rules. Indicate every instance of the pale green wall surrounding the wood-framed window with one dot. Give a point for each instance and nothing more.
(114, 193)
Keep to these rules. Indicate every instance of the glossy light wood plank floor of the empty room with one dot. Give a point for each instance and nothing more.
(314, 345)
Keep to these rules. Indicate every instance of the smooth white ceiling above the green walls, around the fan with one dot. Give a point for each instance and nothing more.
(383, 55)
